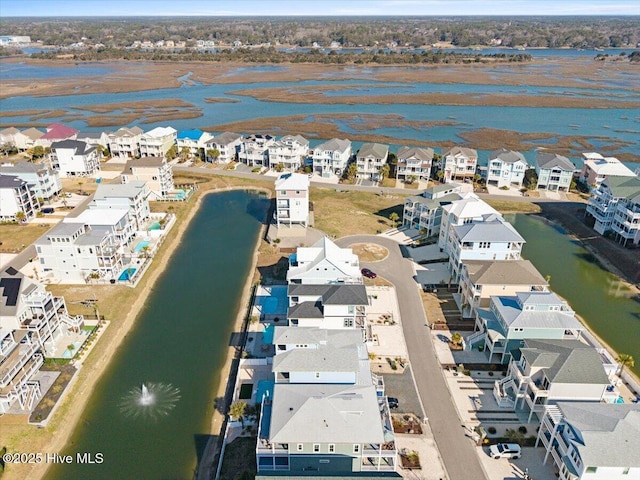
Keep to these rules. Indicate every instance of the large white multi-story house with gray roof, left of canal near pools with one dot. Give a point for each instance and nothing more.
(76, 253)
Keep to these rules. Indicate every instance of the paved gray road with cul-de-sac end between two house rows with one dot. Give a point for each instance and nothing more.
(457, 451)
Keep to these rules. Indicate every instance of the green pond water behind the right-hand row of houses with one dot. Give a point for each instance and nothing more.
(594, 293)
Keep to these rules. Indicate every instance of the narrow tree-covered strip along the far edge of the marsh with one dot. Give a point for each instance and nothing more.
(271, 55)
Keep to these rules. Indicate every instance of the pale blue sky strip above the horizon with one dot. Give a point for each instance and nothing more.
(63, 8)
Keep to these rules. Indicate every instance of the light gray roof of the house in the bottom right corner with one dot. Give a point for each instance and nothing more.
(609, 432)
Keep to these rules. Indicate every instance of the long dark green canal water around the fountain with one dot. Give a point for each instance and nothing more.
(180, 339)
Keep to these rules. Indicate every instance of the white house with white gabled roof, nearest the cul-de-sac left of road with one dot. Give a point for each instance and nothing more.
(324, 263)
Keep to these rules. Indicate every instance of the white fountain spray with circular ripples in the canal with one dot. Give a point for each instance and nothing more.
(150, 400)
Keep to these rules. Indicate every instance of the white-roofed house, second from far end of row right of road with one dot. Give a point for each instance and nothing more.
(466, 210)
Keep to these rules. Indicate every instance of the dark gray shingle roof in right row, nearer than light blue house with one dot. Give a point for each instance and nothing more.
(566, 361)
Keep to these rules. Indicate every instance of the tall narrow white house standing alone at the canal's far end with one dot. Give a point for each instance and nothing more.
(292, 199)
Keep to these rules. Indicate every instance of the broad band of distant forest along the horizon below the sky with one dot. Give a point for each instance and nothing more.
(353, 32)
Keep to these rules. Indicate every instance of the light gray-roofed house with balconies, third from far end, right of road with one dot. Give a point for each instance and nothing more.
(492, 239)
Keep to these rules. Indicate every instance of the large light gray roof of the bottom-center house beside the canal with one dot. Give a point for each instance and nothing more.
(325, 413)
